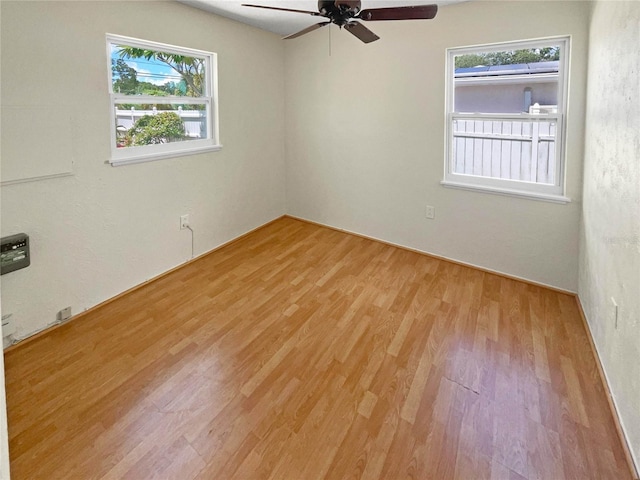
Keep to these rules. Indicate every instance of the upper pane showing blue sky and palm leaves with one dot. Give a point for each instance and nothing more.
(140, 71)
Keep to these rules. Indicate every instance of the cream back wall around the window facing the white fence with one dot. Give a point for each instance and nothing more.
(365, 140)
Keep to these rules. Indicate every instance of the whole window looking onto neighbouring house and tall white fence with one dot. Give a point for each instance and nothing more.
(506, 106)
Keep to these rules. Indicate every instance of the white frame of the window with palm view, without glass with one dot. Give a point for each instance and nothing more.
(147, 153)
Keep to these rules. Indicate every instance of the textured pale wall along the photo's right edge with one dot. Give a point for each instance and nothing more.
(610, 230)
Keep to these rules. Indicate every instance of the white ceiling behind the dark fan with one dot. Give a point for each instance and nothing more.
(285, 23)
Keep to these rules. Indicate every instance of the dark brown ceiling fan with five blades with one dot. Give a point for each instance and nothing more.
(344, 13)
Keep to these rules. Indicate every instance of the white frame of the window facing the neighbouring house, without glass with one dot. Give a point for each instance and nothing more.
(518, 188)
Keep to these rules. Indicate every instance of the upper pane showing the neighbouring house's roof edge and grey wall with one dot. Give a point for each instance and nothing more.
(510, 81)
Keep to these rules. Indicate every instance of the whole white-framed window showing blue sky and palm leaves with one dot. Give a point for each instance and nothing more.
(163, 100)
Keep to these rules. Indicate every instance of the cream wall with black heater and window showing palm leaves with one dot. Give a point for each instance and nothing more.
(106, 229)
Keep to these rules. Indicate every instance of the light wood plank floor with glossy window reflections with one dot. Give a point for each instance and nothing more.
(299, 352)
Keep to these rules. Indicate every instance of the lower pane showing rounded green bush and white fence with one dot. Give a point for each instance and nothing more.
(154, 124)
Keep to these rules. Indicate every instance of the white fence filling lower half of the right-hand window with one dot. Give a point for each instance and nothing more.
(522, 148)
